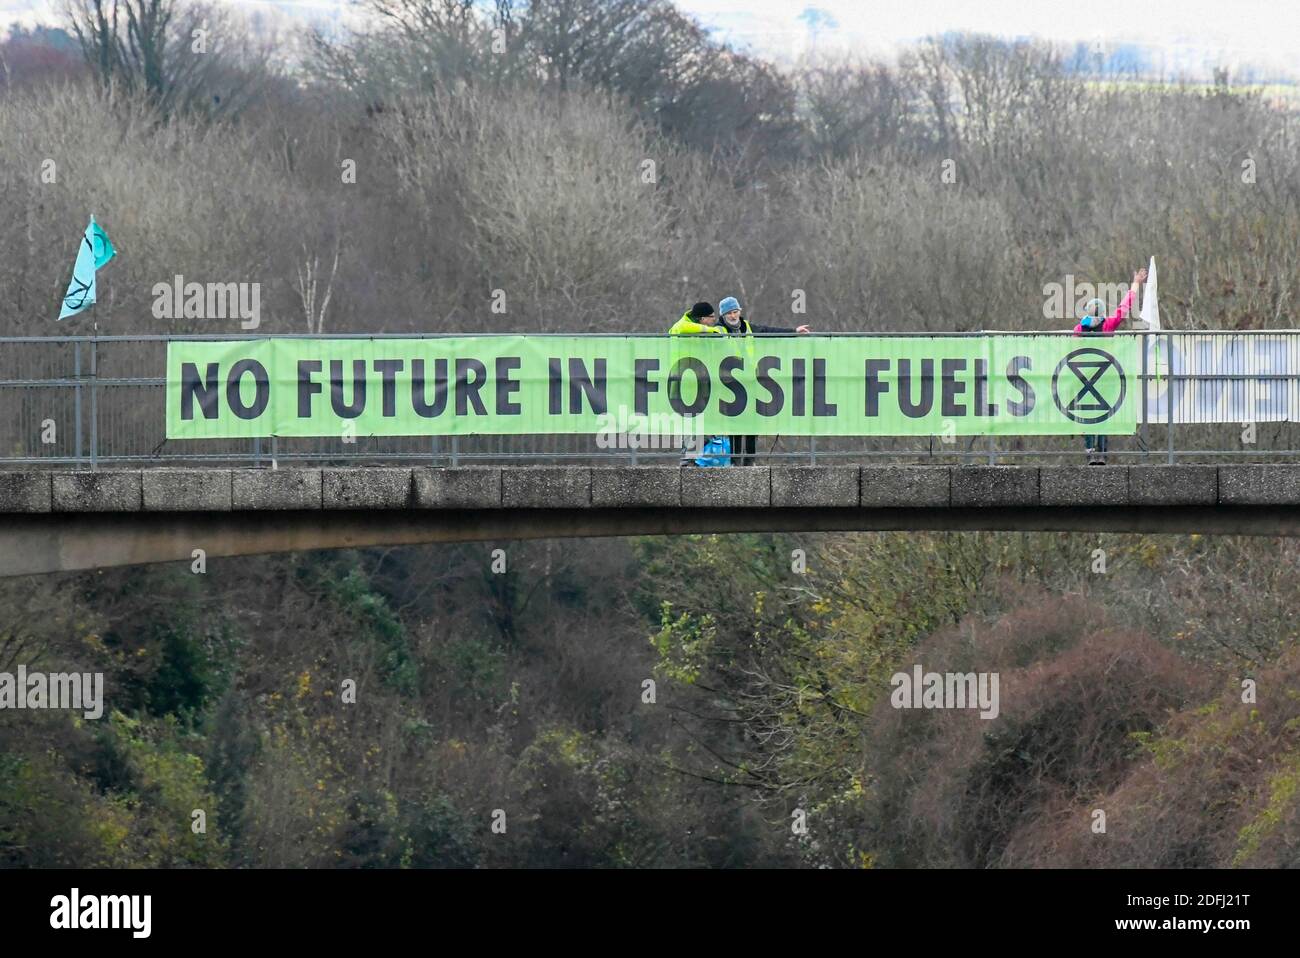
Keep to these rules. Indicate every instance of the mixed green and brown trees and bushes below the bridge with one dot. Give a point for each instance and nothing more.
(773, 696)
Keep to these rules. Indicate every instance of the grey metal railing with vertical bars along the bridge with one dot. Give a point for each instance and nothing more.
(90, 402)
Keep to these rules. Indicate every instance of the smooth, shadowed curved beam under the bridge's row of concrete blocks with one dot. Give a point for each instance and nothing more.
(57, 543)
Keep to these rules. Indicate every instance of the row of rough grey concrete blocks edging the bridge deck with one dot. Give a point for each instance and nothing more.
(595, 488)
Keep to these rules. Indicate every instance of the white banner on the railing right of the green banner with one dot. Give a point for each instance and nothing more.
(1224, 379)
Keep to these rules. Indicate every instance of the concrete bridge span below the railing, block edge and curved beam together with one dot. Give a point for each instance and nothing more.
(54, 521)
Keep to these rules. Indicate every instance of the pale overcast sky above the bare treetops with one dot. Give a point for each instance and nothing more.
(1190, 33)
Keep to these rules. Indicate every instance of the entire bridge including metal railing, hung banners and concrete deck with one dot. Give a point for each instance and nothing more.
(97, 473)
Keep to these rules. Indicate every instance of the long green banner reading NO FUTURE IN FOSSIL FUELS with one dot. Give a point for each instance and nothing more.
(1002, 385)
